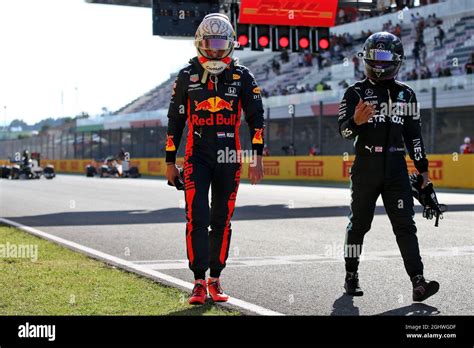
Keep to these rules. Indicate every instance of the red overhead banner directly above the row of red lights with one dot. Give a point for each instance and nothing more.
(307, 13)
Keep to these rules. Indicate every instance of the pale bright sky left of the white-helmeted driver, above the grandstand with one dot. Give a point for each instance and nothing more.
(93, 55)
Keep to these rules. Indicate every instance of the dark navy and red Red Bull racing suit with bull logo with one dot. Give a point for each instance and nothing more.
(212, 110)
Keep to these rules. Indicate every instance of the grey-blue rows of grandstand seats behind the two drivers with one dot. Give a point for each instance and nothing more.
(458, 43)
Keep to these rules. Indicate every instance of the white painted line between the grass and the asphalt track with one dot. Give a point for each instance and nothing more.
(131, 267)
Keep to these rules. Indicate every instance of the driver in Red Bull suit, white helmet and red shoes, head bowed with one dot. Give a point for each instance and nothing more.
(209, 95)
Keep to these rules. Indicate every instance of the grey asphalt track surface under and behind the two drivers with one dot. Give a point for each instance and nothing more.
(286, 248)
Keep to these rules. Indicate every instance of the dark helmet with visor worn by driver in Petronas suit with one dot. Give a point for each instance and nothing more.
(383, 56)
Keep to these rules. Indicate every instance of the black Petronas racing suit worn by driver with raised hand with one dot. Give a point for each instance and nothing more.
(380, 167)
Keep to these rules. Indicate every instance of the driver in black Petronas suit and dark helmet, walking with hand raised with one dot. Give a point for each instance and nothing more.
(383, 117)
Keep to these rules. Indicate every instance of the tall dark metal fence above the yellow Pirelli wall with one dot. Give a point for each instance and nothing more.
(443, 131)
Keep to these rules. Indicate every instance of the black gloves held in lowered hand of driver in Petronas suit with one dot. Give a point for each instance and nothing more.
(427, 198)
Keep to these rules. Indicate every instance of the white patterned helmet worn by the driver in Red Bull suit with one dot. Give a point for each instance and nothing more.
(215, 40)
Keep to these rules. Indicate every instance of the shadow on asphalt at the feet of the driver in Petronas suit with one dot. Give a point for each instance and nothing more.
(344, 305)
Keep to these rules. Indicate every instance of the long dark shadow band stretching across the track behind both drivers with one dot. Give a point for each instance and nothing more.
(176, 215)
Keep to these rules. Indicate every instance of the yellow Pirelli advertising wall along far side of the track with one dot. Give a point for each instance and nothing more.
(450, 171)
